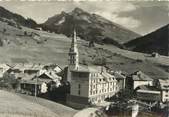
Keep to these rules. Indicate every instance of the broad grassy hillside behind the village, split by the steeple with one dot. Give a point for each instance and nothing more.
(53, 48)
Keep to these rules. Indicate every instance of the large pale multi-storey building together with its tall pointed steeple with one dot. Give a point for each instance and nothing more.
(89, 85)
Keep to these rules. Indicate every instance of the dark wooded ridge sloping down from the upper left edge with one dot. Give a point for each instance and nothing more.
(13, 18)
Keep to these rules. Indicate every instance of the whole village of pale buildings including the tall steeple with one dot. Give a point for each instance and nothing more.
(82, 86)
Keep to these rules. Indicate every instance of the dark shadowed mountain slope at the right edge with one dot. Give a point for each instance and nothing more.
(157, 41)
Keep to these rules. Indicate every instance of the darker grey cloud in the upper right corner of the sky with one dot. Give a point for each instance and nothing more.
(152, 15)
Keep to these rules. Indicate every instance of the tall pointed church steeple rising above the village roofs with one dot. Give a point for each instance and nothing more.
(73, 53)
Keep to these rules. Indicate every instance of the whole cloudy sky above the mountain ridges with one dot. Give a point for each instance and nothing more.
(141, 17)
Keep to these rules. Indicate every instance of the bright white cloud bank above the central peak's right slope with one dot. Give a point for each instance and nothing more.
(110, 10)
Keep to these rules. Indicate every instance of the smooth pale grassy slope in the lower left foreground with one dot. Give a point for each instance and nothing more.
(12, 105)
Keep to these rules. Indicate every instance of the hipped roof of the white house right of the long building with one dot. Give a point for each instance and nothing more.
(138, 75)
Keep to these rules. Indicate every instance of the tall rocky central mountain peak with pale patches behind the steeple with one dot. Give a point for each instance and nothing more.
(89, 27)
